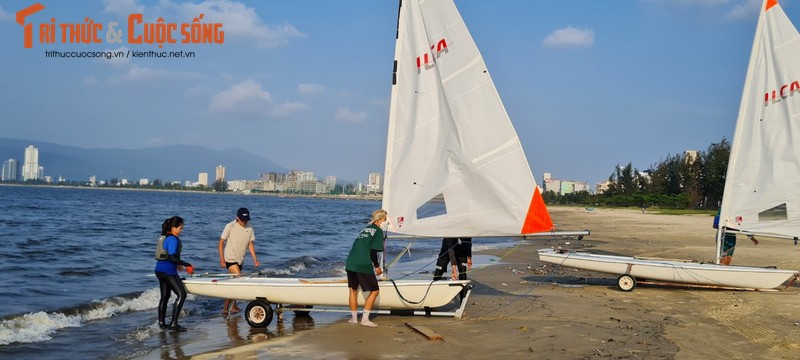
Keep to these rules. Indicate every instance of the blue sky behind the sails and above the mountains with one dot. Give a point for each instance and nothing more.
(588, 84)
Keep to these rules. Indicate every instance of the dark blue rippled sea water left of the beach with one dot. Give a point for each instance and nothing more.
(76, 263)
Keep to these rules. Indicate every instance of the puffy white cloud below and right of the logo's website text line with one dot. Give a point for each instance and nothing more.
(250, 99)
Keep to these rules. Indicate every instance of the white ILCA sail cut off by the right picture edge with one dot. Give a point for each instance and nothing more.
(762, 187)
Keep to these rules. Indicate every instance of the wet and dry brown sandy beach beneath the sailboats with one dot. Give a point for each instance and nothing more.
(522, 308)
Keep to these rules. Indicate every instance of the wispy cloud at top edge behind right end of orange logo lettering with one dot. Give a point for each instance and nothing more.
(239, 21)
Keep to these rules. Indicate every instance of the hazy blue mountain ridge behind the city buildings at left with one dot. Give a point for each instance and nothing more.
(167, 163)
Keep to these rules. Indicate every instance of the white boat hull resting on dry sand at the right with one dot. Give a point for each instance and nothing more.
(671, 271)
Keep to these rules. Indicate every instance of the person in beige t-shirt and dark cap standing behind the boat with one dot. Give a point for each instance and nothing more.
(237, 237)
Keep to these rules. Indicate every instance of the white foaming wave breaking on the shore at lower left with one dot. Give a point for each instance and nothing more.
(40, 326)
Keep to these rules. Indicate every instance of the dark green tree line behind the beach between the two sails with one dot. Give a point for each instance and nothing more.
(677, 182)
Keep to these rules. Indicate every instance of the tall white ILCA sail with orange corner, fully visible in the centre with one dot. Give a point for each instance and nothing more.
(454, 164)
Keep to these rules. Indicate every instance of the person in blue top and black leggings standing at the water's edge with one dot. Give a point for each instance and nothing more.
(168, 254)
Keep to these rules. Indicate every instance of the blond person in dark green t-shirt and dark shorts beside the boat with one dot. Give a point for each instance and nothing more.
(362, 266)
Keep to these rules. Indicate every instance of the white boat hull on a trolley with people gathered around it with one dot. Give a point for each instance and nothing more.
(402, 294)
